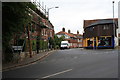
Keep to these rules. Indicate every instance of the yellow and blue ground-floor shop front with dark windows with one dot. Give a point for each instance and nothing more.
(99, 42)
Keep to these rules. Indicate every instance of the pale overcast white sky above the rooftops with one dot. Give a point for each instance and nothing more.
(72, 13)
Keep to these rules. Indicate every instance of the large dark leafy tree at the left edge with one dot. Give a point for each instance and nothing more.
(14, 16)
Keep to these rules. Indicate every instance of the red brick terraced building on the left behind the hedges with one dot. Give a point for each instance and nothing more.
(40, 26)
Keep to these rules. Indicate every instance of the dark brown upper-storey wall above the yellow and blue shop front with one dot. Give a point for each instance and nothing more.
(98, 30)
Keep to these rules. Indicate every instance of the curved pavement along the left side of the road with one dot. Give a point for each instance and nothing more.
(26, 61)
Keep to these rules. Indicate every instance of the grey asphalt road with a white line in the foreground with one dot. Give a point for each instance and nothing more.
(71, 63)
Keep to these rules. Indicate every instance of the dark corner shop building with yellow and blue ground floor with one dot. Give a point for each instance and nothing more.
(100, 33)
